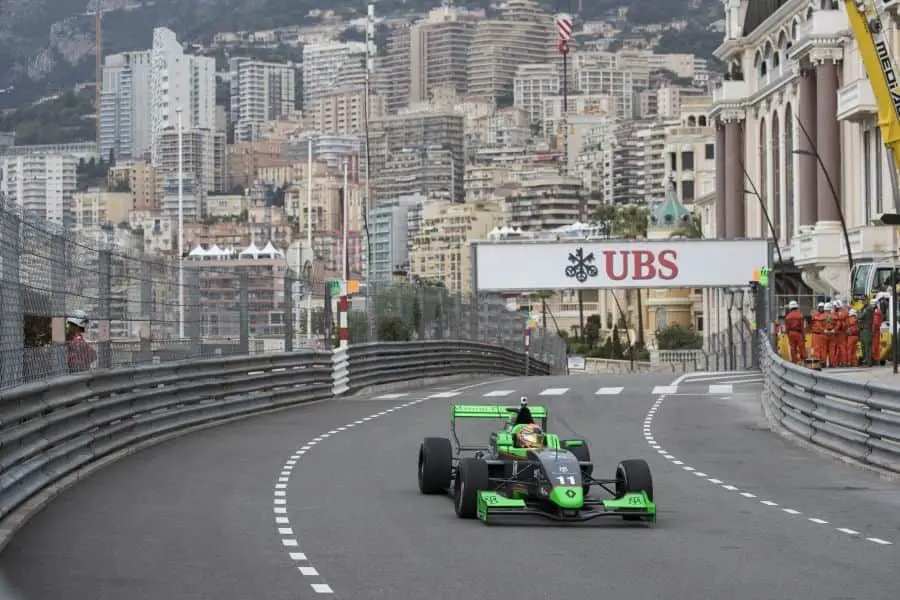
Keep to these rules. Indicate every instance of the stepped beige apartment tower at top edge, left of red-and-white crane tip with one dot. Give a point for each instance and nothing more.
(524, 34)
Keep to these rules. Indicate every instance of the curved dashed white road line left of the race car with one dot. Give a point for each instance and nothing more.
(280, 501)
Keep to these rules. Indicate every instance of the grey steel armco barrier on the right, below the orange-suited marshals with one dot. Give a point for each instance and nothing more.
(851, 418)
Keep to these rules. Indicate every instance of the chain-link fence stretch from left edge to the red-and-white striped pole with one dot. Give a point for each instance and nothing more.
(139, 307)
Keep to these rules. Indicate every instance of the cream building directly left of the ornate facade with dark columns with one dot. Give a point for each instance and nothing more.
(690, 152)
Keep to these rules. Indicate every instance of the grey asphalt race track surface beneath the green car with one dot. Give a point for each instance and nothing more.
(196, 517)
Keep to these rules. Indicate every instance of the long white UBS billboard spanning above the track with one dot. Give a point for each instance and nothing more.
(600, 264)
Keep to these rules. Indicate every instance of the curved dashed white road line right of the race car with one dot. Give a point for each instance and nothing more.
(721, 388)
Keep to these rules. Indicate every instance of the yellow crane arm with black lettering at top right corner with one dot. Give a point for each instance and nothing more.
(868, 29)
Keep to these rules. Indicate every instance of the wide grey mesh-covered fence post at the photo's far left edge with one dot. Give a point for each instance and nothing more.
(12, 341)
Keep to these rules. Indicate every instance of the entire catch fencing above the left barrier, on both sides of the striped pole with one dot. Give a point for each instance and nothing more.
(230, 304)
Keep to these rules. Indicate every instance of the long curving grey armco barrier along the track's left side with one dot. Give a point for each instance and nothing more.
(52, 429)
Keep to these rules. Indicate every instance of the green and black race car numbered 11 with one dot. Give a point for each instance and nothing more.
(524, 471)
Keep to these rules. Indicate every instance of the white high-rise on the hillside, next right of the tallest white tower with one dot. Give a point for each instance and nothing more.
(260, 92)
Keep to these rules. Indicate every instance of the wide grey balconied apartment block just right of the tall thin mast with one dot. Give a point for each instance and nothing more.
(429, 128)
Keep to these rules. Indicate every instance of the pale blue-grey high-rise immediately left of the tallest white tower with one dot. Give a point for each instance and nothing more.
(125, 99)
